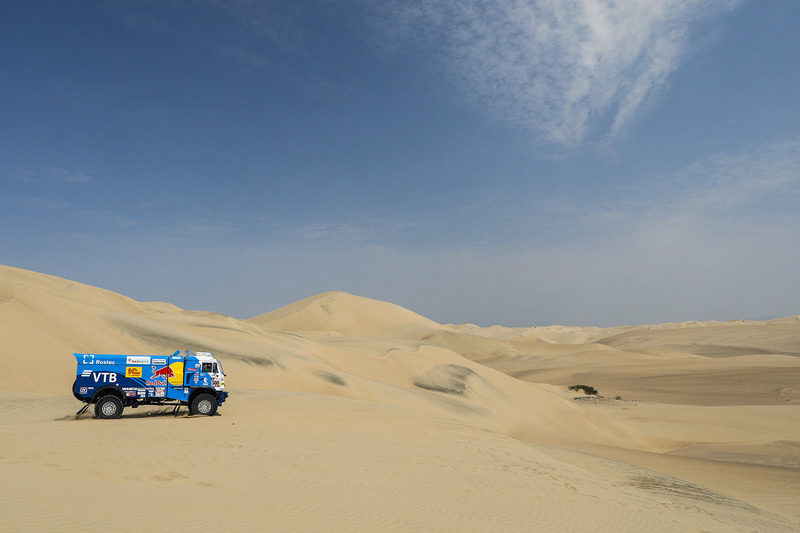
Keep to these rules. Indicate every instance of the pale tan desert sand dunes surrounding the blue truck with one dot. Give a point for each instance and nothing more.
(351, 414)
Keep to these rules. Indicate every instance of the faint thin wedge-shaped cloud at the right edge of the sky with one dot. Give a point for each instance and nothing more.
(745, 188)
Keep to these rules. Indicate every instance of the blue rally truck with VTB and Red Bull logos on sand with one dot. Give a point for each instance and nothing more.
(112, 382)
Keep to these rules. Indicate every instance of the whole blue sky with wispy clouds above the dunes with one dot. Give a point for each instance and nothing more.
(581, 162)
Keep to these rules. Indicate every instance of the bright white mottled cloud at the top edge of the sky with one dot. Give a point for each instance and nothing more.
(564, 69)
